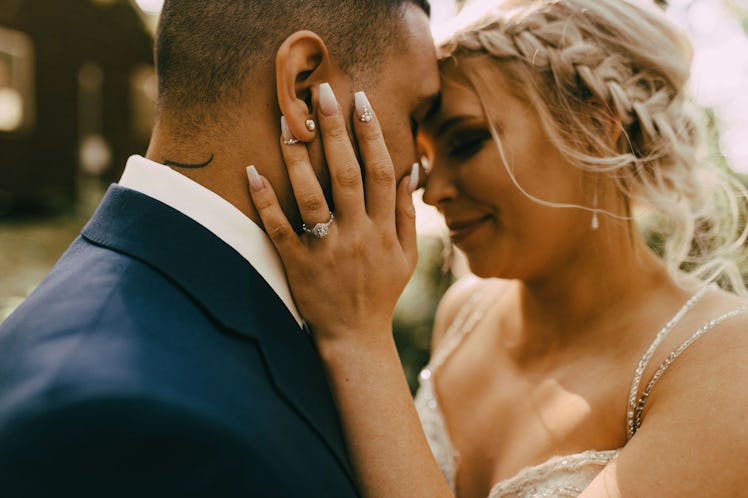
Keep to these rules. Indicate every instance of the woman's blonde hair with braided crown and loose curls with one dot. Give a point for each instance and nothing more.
(587, 65)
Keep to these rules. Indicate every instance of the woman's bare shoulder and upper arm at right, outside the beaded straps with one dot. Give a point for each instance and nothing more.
(693, 437)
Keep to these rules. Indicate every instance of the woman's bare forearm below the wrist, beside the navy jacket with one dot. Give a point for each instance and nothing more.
(385, 440)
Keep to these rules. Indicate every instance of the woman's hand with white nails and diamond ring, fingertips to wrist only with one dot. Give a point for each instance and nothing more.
(345, 284)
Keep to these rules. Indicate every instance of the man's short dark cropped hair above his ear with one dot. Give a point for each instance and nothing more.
(205, 49)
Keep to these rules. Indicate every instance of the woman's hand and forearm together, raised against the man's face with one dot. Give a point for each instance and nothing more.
(346, 285)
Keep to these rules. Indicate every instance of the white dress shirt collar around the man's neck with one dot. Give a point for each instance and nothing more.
(214, 213)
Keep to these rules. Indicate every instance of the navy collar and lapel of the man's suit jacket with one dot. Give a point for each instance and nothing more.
(229, 289)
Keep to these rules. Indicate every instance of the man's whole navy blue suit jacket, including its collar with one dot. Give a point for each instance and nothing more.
(154, 361)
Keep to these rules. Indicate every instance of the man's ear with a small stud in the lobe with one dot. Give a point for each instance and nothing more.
(301, 64)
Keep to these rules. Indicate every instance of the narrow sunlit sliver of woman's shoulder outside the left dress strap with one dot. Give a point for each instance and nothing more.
(457, 296)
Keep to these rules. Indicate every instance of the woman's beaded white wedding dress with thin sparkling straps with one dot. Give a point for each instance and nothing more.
(560, 476)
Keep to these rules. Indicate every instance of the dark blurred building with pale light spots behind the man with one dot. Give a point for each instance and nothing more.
(76, 95)
